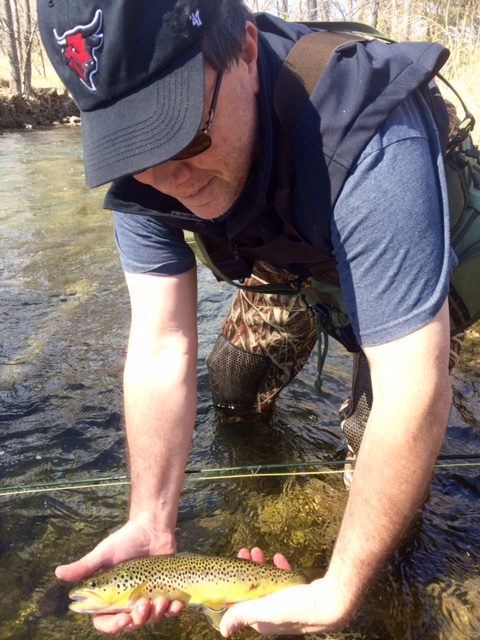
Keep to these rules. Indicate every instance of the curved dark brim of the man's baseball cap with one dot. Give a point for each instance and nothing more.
(146, 127)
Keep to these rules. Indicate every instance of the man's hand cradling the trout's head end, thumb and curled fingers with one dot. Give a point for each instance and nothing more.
(134, 539)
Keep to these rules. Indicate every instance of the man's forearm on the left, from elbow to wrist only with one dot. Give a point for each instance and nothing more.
(160, 408)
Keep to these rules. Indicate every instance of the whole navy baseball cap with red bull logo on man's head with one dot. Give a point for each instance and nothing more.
(135, 70)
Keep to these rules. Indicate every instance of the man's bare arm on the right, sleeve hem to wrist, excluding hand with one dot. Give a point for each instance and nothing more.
(412, 398)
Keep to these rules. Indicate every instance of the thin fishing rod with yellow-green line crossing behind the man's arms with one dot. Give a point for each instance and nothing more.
(225, 473)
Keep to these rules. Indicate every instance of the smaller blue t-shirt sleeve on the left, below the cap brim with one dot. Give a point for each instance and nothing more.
(146, 245)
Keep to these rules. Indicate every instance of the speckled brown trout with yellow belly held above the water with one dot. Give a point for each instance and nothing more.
(208, 582)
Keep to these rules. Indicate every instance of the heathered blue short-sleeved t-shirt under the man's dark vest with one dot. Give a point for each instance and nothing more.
(390, 232)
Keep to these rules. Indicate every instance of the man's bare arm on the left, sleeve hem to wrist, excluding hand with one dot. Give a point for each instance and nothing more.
(160, 395)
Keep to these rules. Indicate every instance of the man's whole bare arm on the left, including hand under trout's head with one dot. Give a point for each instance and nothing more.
(160, 408)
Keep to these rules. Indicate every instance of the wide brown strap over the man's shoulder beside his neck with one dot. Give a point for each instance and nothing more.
(298, 76)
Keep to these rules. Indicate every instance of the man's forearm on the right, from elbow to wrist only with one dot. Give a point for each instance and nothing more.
(392, 475)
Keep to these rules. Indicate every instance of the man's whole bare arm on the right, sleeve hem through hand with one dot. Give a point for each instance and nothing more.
(412, 398)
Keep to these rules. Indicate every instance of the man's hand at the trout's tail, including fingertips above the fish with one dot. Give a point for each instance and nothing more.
(294, 610)
